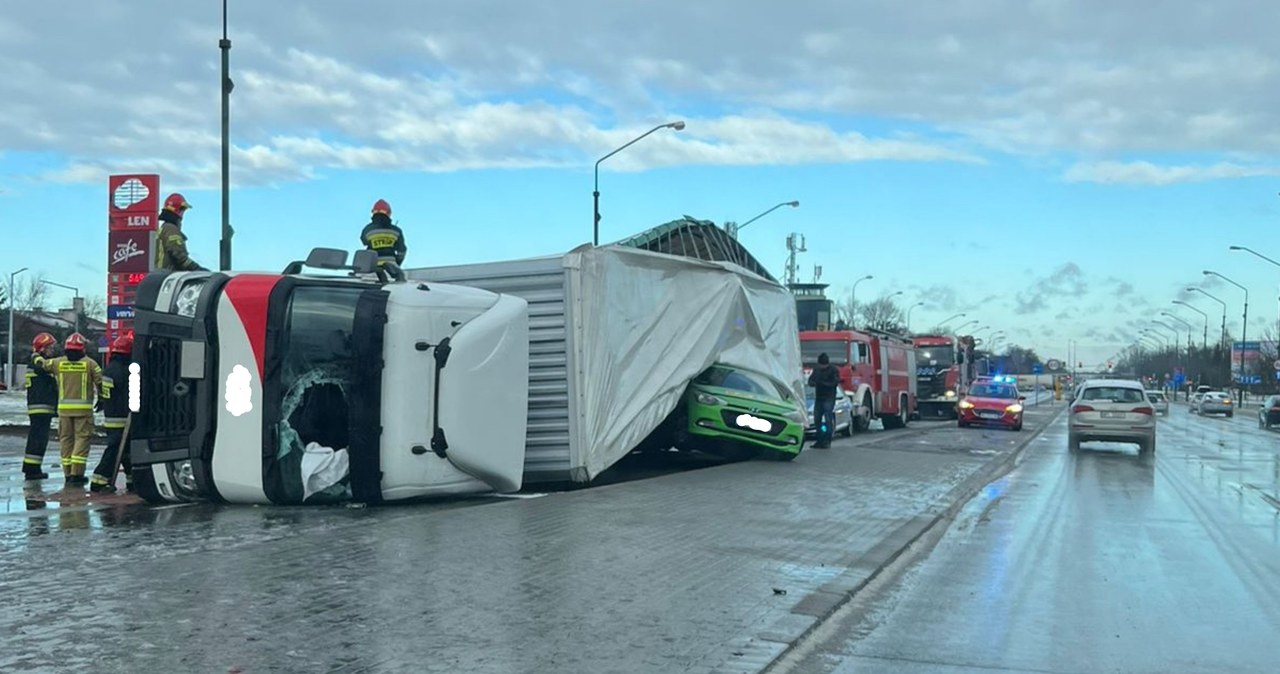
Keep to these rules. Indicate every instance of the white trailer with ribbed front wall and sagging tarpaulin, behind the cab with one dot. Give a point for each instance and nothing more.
(615, 337)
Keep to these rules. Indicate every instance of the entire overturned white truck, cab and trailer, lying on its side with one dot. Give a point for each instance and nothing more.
(321, 388)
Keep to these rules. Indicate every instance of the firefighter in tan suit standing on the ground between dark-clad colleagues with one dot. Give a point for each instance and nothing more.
(79, 379)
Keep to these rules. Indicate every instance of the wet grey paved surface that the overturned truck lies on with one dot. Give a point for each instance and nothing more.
(711, 571)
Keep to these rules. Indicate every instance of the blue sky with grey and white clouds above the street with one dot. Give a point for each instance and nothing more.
(1057, 171)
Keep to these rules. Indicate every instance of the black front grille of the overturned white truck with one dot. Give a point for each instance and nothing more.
(164, 414)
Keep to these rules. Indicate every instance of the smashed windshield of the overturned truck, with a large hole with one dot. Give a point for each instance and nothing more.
(317, 368)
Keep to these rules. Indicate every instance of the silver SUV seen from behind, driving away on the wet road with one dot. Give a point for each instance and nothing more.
(1113, 411)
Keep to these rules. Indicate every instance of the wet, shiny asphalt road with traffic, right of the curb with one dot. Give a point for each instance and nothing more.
(1098, 562)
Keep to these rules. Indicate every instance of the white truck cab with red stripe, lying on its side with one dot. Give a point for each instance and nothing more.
(308, 388)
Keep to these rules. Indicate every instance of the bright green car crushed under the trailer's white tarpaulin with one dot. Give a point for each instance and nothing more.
(740, 414)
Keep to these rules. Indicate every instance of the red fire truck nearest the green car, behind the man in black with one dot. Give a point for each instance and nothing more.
(877, 372)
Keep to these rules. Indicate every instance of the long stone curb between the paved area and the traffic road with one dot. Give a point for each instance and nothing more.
(836, 594)
